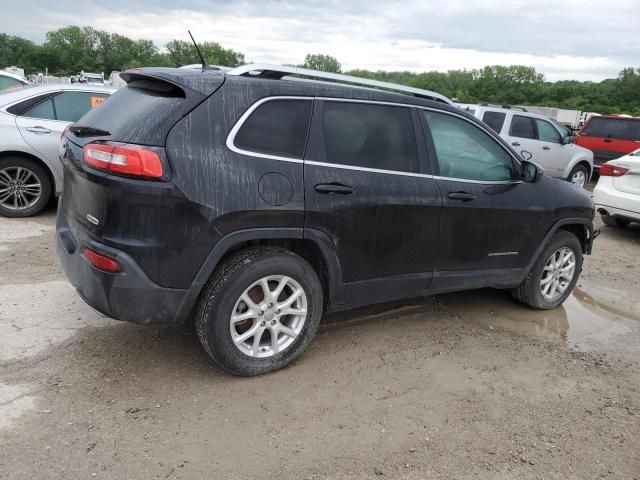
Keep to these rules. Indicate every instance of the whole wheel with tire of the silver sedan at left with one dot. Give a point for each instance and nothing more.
(25, 187)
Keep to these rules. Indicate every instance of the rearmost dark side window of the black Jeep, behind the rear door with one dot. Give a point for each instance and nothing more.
(277, 127)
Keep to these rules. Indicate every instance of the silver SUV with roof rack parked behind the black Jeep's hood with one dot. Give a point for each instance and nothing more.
(550, 144)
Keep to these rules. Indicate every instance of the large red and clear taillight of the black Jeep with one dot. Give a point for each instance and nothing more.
(128, 160)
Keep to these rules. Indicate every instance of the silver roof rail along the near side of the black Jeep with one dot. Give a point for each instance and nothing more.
(280, 71)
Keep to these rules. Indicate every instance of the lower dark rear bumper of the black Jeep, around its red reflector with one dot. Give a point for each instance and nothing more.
(128, 295)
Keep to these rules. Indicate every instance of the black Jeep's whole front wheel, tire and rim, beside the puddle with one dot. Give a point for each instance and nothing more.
(554, 274)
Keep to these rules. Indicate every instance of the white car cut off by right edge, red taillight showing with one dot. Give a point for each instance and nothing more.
(617, 194)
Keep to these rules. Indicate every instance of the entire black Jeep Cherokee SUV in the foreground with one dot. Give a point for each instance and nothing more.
(255, 201)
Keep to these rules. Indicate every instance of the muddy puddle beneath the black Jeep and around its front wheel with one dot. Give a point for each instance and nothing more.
(586, 324)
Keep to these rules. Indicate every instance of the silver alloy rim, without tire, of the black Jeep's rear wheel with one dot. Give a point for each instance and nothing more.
(268, 316)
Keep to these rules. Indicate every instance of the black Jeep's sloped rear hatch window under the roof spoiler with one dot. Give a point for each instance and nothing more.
(142, 112)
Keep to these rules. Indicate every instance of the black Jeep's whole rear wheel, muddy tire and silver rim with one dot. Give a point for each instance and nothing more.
(259, 311)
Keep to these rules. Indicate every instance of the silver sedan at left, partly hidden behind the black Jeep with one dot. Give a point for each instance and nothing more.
(32, 120)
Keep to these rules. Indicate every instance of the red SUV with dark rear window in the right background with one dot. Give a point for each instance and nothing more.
(610, 136)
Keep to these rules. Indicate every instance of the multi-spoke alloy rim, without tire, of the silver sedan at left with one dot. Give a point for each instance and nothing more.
(20, 188)
